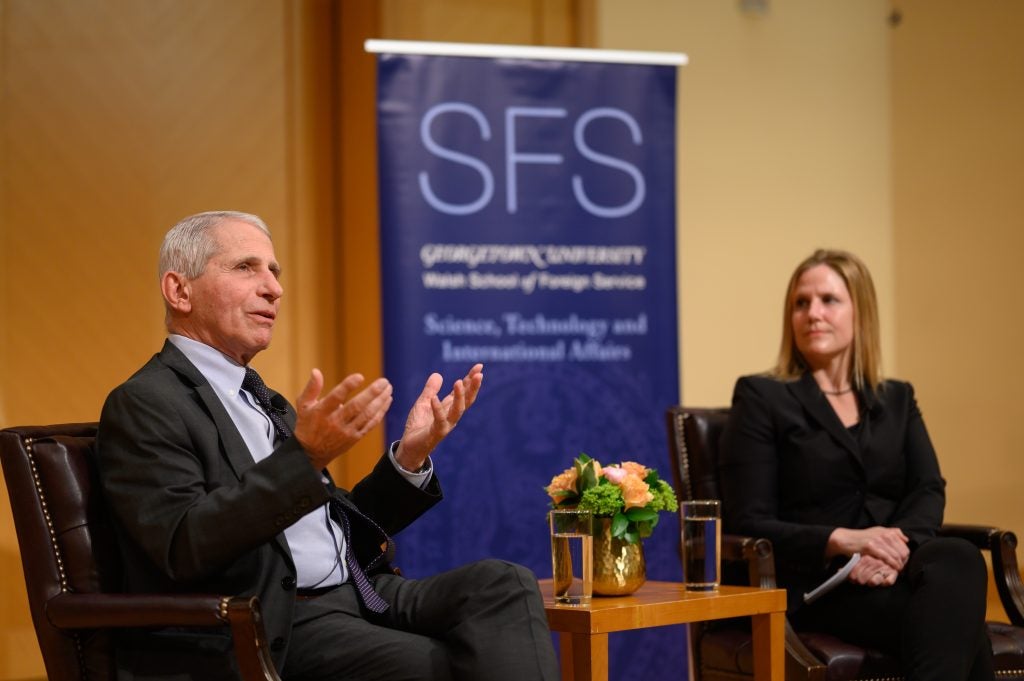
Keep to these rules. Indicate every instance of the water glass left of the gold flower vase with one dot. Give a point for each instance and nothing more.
(573, 556)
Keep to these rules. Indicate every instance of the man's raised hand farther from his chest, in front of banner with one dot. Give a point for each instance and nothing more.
(432, 420)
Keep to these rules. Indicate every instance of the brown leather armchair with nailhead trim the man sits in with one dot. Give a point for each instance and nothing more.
(73, 567)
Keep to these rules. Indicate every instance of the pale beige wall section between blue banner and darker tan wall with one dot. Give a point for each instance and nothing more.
(784, 148)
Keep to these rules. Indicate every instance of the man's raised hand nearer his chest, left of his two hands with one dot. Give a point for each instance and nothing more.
(330, 425)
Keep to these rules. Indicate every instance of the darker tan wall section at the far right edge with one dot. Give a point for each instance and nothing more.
(959, 208)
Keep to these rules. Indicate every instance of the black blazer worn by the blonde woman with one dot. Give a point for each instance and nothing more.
(791, 473)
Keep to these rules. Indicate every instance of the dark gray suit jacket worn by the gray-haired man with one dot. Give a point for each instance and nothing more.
(197, 516)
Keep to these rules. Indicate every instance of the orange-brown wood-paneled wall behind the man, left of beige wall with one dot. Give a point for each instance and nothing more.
(119, 117)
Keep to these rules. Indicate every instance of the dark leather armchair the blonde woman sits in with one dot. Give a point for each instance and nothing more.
(726, 654)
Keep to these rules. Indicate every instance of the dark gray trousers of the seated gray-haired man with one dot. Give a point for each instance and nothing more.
(482, 622)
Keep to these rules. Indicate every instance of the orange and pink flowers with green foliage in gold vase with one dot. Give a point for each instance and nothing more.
(630, 494)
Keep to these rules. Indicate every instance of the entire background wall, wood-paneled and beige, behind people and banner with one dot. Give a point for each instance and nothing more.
(814, 124)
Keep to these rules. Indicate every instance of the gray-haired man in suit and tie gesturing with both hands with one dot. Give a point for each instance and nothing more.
(218, 485)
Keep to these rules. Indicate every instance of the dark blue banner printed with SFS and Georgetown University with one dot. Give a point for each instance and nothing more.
(529, 222)
